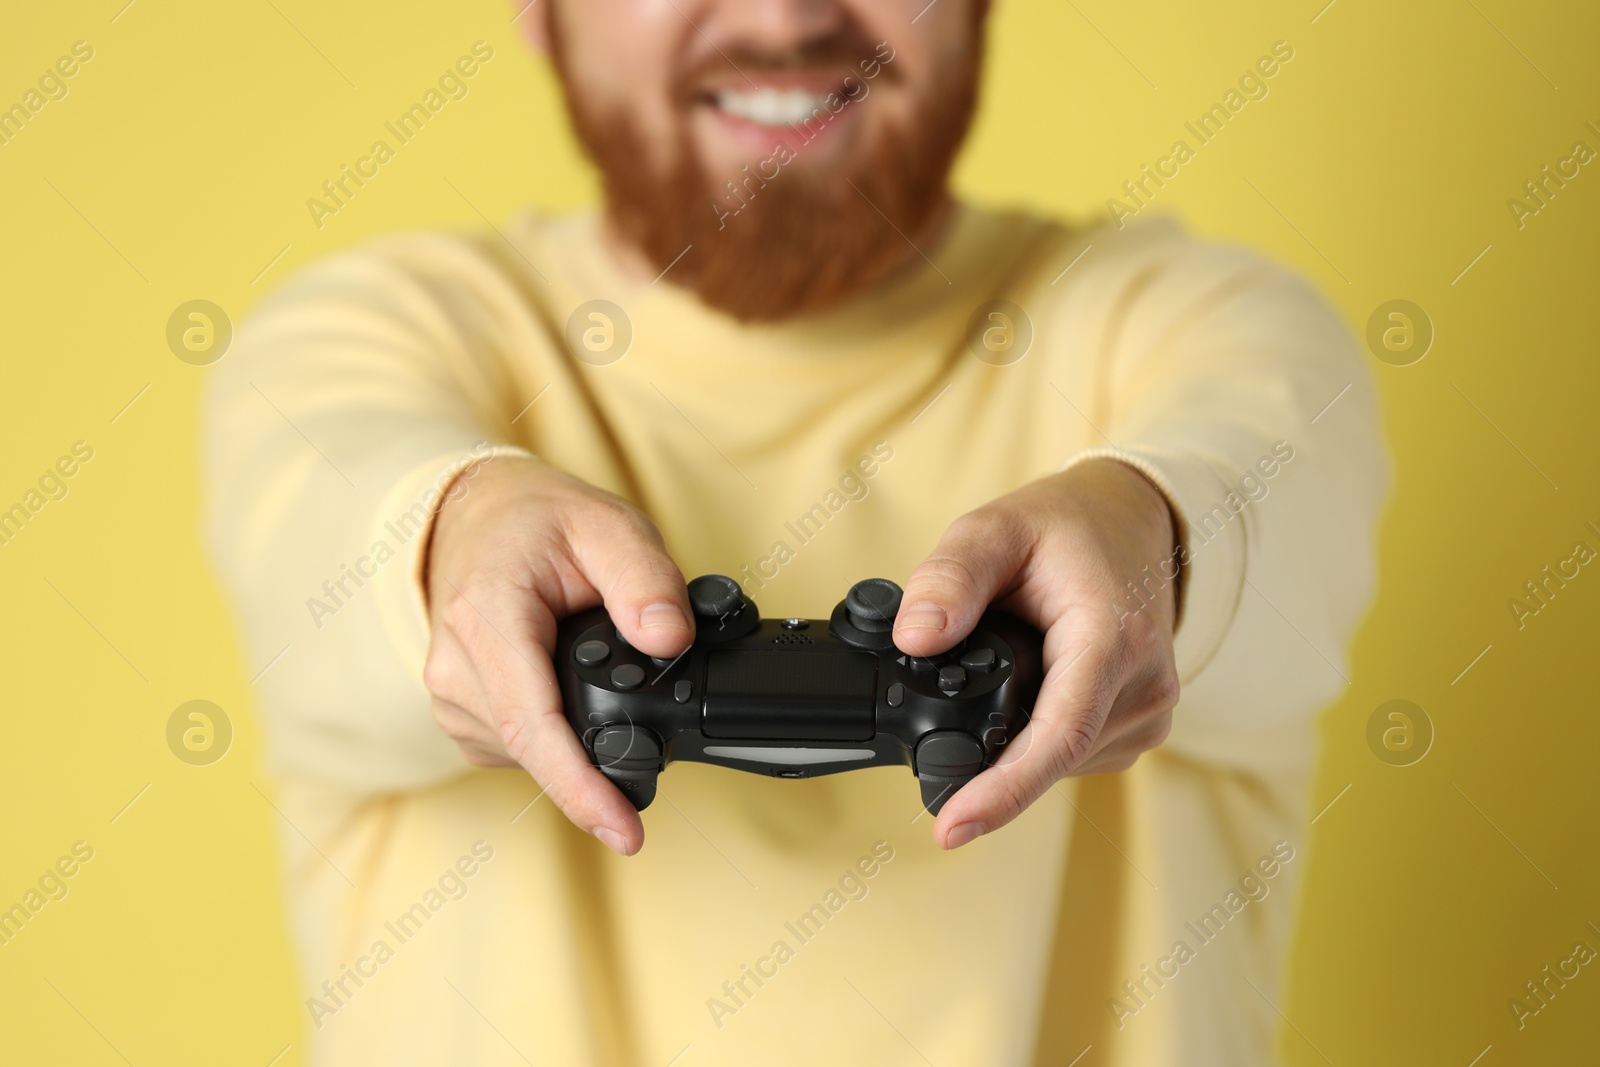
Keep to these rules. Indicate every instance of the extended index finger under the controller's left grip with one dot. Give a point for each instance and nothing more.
(526, 711)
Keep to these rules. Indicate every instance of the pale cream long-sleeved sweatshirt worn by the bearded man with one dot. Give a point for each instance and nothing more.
(449, 916)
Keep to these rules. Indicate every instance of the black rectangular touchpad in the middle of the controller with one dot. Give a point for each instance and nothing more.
(815, 695)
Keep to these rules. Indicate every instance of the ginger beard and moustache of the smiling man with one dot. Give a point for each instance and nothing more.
(778, 239)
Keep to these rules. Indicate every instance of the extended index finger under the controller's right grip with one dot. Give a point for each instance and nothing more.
(1073, 706)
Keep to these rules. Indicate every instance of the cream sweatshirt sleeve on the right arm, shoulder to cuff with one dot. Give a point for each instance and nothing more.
(1244, 398)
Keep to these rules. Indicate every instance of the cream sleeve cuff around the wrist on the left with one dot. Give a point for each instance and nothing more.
(407, 519)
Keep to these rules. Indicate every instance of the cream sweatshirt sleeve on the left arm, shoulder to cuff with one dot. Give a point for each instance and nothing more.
(348, 402)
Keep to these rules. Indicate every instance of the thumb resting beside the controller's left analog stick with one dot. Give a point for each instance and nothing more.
(625, 559)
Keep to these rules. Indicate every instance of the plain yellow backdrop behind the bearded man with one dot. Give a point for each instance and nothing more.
(1380, 164)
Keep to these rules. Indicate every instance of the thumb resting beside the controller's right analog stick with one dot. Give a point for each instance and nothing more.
(974, 564)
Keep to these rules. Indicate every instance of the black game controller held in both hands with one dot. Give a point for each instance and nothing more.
(798, 698)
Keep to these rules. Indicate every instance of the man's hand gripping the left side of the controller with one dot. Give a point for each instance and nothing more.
(527, 546)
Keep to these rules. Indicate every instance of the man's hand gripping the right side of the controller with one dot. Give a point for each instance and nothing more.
(1060, 554)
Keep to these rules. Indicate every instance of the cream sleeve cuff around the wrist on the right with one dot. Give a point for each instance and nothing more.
(1212, 554)
